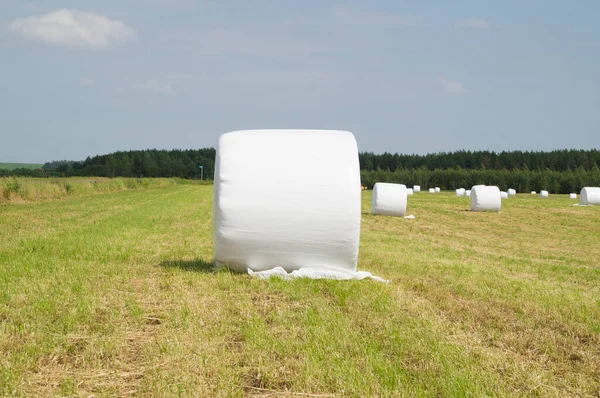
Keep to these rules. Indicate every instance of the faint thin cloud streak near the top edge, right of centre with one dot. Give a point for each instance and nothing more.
(350, 16)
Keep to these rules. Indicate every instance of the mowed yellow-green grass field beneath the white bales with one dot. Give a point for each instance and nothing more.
(114, 295)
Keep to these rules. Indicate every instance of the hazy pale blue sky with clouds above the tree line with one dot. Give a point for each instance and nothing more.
(82, 78)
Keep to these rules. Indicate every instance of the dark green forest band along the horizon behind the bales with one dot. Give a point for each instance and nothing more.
(560, 171)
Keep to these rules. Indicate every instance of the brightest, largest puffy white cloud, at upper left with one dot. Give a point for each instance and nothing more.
(73, 28)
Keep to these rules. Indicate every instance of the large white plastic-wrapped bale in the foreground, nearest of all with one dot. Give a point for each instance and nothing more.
(308, 216)
